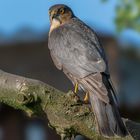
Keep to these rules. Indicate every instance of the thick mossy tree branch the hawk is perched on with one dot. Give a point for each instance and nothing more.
(66, 114)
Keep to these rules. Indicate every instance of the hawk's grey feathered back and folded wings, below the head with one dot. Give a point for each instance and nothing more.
(76, 48)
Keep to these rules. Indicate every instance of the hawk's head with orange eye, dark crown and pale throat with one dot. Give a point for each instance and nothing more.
(59, 14)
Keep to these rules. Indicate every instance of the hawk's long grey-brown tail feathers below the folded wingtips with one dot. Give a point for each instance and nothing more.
(107, 117)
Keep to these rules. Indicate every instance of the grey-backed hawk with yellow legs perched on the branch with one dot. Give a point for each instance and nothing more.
(76, 50)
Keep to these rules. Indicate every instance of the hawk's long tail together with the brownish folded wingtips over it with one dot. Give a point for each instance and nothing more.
(103, 102)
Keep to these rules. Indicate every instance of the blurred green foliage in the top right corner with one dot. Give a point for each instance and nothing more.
(127, 14)
